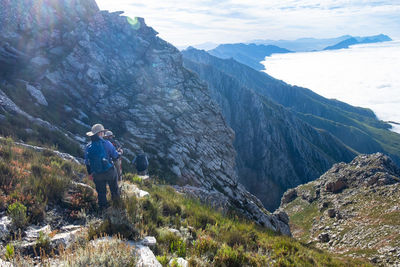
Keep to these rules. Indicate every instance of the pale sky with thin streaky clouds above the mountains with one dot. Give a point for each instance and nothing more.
(192, 22)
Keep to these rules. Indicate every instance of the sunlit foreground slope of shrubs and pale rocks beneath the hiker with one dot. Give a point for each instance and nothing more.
(49, 217)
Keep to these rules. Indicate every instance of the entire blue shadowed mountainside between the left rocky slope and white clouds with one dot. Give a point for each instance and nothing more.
(268, 140)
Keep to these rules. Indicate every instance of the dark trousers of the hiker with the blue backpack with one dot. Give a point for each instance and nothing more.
(101, 180)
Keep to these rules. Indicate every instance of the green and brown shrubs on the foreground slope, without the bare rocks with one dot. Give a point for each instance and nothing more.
(206, 237)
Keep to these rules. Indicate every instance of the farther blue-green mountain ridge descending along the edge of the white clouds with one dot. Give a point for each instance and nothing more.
(356, 127)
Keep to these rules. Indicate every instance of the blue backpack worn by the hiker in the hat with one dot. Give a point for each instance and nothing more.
(97, 156)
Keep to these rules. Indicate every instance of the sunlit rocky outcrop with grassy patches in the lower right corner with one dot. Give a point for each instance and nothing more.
(352, 209)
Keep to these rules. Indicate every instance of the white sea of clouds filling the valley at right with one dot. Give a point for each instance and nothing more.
(363, 75)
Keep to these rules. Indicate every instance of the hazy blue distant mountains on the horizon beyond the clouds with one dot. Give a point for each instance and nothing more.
(251, 54)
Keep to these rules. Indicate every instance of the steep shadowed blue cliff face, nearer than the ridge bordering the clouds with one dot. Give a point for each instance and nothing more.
(275, 149)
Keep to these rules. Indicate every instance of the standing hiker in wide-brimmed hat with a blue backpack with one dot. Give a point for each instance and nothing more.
(99, 157)
